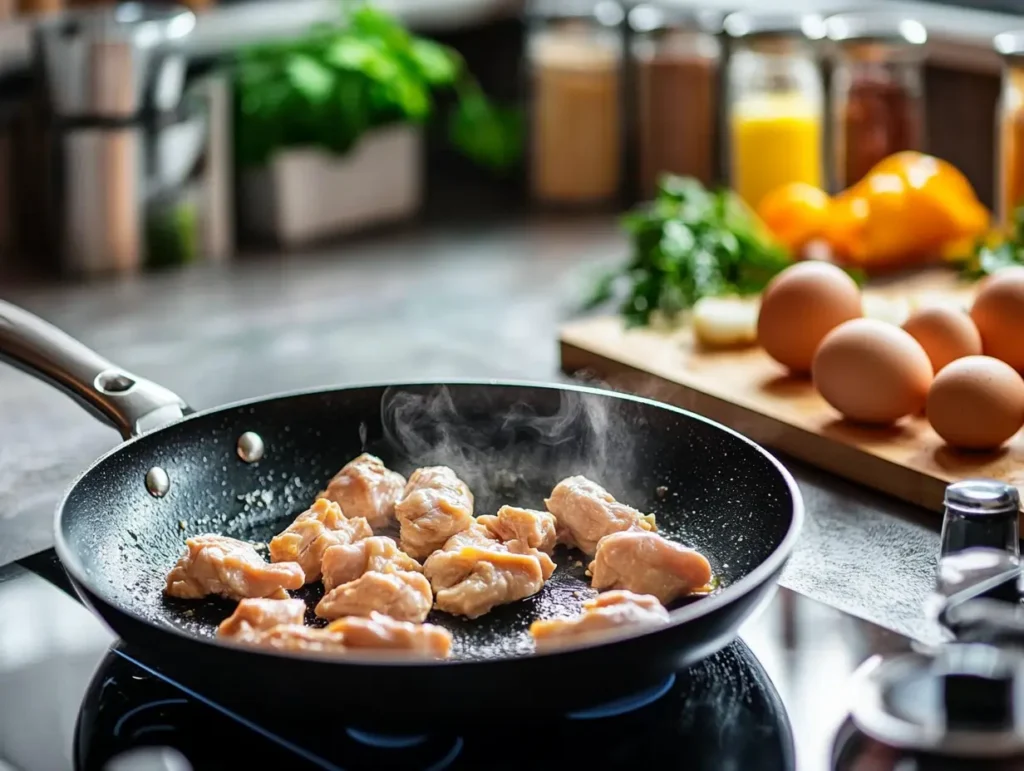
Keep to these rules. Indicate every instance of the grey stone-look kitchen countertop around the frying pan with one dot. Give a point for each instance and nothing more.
(433, 303)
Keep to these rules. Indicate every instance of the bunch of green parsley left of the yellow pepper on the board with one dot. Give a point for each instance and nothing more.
(691, 243)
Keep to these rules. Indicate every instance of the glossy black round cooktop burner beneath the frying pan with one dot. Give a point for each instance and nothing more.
(724, 714)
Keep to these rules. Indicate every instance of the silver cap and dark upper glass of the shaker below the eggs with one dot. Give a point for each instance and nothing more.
(980, 513)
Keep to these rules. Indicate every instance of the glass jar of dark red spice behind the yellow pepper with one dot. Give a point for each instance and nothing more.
(878, 92)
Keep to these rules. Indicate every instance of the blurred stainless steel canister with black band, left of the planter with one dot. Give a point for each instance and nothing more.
(123, 139)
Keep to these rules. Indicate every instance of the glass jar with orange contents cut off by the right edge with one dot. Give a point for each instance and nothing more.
(1010, 123)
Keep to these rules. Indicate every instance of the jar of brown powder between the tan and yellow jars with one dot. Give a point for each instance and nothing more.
(676, 56)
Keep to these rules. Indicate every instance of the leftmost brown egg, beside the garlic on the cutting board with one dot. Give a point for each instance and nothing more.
(800, 307)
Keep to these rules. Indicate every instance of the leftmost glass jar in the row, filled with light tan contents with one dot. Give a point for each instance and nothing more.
(576, 58)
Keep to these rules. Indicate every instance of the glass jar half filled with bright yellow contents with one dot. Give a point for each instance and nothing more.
(776, 103)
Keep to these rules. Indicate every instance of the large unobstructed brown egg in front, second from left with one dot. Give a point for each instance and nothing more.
(872, 372)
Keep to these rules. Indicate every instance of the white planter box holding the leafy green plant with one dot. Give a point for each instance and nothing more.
(305, 195)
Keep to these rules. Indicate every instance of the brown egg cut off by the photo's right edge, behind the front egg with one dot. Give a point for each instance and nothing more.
(999, 314)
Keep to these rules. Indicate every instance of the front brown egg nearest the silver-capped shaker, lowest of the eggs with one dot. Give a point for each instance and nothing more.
(976, 403)
